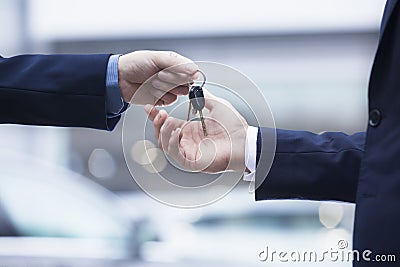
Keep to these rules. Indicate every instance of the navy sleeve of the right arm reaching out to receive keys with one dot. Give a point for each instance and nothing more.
(312, 166)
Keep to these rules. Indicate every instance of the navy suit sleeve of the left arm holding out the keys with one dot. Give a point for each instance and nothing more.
(57, 90)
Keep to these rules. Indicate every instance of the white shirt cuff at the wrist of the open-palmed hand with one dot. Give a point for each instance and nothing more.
(250, 153)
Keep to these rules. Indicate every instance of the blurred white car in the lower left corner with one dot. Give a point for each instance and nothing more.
(50, 216)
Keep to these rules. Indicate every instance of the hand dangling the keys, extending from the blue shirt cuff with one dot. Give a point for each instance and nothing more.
(173, 70)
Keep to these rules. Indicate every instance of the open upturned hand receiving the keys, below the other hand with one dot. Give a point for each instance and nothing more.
(223, 149)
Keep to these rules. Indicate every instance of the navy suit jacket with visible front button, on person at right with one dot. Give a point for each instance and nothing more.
(363, 168)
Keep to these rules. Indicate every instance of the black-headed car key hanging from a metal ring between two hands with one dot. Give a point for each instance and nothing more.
(197, 102)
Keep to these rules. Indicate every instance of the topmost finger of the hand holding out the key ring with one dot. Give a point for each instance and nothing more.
(168, 59)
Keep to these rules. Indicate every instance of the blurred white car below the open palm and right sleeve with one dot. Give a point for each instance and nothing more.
(234, 230)
